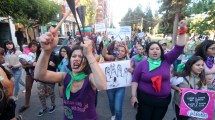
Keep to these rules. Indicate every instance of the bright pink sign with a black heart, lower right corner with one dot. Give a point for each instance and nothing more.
(197, 103)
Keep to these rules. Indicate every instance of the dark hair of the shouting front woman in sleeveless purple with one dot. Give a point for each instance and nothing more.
(87, 68)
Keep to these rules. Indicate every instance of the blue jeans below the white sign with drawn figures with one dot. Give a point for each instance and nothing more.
(116, 97)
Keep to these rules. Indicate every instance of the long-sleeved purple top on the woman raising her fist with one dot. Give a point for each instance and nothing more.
(143, 76)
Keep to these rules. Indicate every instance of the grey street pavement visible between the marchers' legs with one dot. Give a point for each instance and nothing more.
(102, 107)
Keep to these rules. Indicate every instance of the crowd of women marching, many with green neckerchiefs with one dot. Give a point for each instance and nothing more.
(155, 70)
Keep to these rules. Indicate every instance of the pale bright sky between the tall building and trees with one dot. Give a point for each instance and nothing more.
(120, 7)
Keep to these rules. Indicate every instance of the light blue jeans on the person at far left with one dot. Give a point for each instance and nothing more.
(17, 74)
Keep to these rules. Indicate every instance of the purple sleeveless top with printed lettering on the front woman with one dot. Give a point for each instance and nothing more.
(81, 105)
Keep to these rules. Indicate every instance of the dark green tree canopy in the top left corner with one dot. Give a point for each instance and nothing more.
(30, 11)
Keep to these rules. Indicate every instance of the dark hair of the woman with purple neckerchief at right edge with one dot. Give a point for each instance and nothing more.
(201, 49)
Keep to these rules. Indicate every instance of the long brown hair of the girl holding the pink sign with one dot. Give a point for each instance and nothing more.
(188, 68)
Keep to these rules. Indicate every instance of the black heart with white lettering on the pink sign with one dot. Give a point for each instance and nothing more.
(196, 101)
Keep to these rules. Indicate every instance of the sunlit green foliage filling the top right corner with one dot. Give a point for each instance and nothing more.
(202, 18)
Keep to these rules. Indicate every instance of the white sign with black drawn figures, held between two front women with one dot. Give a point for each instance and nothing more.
(117, 73)
